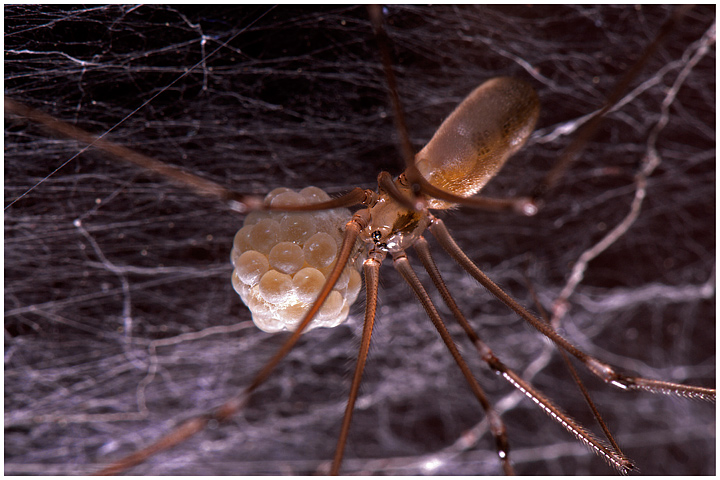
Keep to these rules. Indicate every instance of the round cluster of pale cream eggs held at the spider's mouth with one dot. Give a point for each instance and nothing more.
(282, 259)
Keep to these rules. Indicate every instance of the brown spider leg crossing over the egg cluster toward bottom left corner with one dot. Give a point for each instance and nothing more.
(222, 413)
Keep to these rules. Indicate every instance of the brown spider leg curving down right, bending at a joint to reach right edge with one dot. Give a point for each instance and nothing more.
(602, 370)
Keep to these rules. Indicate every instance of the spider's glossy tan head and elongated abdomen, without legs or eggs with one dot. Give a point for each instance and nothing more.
(468, 149)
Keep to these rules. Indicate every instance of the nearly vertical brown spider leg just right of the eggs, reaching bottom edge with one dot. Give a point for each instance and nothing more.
(371, 269)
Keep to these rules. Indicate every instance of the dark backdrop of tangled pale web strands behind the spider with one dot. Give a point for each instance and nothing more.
(78, 389)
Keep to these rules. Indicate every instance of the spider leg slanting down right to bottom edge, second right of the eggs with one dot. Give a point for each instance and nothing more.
(497, 427)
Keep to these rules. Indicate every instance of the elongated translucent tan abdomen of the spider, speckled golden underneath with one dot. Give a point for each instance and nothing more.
(471, 145)
